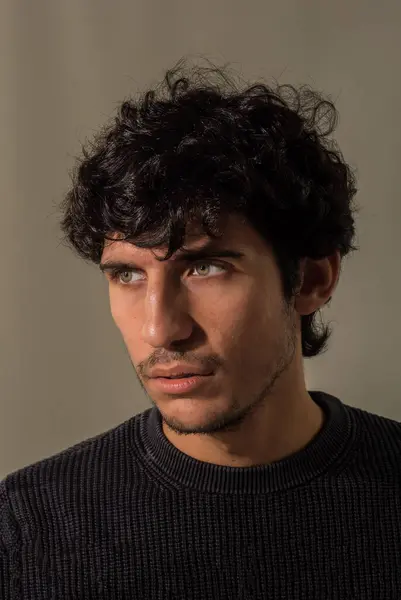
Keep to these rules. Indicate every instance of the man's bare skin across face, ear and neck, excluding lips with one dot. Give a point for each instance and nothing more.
(256, 408)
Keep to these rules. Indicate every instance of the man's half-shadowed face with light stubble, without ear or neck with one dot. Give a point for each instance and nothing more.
(225, 314)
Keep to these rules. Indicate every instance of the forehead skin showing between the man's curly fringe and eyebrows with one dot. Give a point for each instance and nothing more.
(236, 233)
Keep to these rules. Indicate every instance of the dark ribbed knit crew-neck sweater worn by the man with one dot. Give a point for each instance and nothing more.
(126, 515)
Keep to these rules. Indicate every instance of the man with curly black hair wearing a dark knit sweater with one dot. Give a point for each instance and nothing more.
(219, 216)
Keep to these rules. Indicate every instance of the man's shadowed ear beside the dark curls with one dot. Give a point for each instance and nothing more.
(319, 278)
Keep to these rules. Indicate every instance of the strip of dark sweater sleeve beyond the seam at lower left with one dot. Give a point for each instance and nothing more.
(9, 548)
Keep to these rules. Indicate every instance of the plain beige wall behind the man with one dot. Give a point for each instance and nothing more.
(64, 66)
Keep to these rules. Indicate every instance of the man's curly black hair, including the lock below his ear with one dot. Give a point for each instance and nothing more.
(199, 147)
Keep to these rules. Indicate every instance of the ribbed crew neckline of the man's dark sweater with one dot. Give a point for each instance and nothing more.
(327, 447)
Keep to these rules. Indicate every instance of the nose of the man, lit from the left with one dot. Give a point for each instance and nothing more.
(167, 319)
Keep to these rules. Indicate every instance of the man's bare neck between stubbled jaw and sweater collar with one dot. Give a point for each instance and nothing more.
(280, 426)
